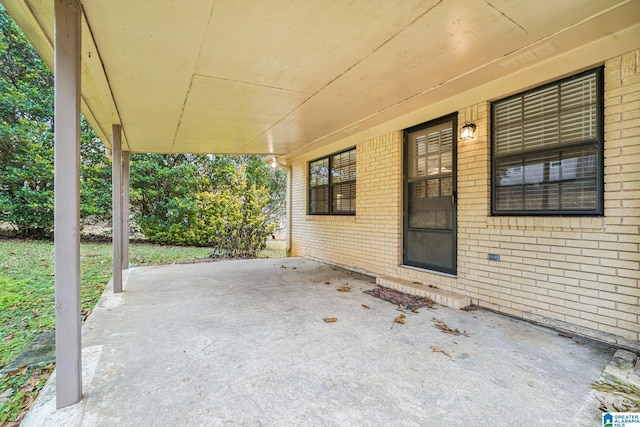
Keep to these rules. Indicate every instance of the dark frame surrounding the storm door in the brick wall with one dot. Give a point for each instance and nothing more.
(453, 118)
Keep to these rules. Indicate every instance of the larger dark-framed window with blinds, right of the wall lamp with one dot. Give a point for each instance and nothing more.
(547, 149)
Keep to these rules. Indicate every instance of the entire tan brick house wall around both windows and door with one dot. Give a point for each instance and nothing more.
(580, 274)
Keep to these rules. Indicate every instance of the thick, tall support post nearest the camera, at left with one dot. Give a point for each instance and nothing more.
(67, 45)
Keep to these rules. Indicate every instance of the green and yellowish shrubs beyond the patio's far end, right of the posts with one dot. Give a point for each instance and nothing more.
(202, 201)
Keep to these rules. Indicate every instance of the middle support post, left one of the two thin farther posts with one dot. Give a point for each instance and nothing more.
(116, 220)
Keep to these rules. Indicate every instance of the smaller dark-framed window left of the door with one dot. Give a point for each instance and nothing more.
(332, 184)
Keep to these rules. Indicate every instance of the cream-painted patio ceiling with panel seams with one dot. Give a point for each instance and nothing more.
(284, 76)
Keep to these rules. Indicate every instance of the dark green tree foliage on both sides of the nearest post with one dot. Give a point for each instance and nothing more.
(26, 143)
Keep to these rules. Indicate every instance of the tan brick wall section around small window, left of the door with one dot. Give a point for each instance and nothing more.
(370, 240)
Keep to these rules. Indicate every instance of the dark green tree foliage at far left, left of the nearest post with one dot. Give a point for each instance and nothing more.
(26, 135)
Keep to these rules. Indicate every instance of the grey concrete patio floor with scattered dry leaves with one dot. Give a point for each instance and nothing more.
(243, 343)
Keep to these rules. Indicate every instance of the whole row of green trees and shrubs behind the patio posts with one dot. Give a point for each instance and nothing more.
(167, 190)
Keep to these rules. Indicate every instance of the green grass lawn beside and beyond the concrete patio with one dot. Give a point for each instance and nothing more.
(27, 301)
